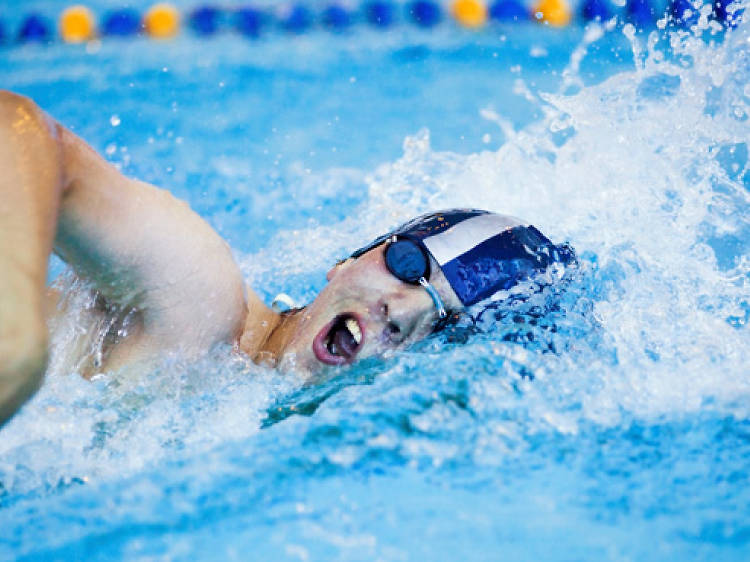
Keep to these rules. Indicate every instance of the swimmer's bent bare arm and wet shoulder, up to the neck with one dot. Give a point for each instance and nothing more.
(142, 248)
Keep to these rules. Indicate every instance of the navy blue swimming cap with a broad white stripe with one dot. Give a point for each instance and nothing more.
(480, 252)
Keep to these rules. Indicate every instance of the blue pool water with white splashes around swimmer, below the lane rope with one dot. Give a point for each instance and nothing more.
(615, 426)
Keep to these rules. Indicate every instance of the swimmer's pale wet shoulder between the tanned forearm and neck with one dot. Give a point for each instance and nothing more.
(146, 249)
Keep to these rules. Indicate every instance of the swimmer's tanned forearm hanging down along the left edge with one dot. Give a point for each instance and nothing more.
(31, 182)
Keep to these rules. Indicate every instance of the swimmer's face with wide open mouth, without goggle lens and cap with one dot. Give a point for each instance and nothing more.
(364, 311)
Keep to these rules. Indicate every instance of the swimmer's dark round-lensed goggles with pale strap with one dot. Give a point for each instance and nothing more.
(408, 261)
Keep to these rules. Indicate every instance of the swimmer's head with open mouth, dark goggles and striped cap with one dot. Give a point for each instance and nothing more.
(410, 282)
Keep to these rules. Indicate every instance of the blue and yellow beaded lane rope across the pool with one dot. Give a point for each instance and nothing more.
(77, 24)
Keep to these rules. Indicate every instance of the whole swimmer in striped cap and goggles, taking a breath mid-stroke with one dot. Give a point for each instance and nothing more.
(147, 253)
